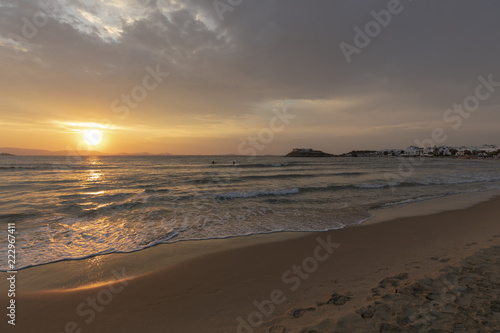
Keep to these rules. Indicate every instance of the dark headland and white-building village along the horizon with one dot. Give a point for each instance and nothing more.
(467, 152)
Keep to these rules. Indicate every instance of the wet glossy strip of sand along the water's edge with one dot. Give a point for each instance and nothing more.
(150, 259)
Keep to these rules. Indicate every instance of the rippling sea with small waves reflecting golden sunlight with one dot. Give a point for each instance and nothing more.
(72, 207)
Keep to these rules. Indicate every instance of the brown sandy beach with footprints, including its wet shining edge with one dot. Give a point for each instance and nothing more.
(432, 273)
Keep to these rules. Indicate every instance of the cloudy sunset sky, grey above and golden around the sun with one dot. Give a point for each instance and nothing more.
(248, 76)
